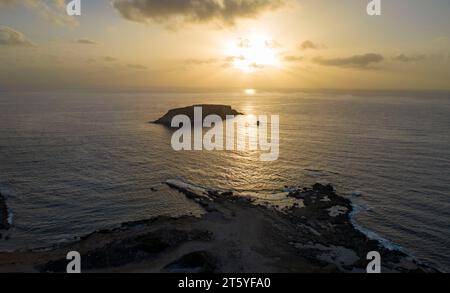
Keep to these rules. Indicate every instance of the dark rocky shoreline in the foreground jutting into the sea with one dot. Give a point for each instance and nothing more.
(235, 235)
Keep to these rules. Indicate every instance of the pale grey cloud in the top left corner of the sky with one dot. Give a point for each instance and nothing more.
(51, 10)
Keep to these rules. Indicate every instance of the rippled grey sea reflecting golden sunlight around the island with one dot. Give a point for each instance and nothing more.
(74, 163)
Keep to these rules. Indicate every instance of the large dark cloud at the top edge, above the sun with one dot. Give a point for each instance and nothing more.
(226, 12)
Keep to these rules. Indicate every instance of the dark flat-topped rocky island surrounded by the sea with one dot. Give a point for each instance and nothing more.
(221, 110)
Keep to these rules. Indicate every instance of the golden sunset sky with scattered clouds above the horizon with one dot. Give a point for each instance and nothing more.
(124, 44)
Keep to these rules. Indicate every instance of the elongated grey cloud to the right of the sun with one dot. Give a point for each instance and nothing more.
(356, 61)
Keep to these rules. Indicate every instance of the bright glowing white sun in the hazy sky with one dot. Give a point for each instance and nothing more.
(253, 53)
